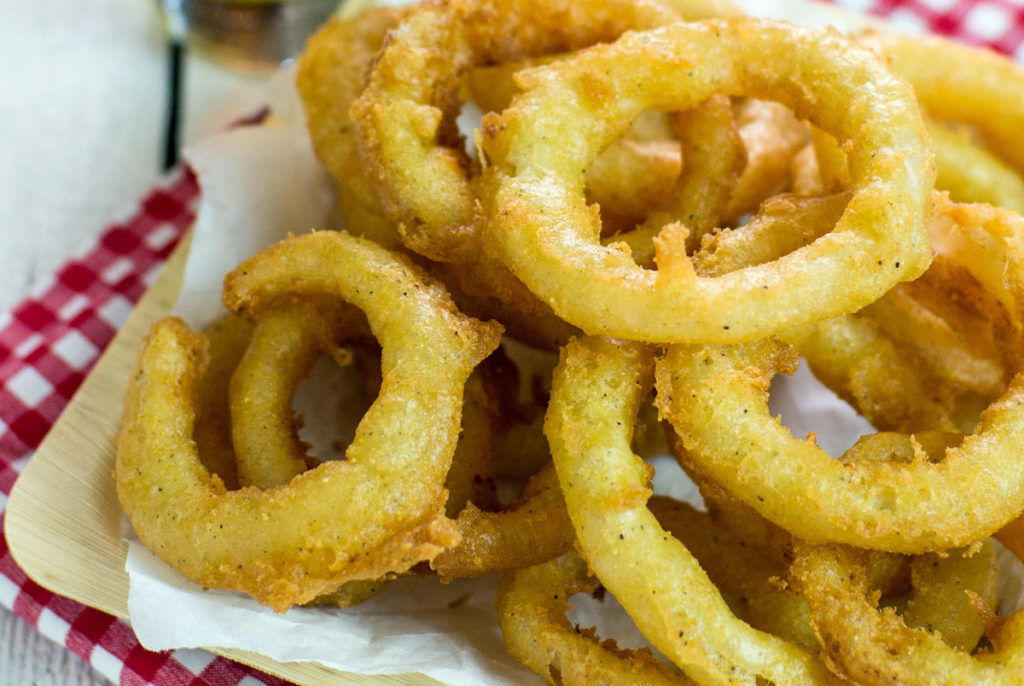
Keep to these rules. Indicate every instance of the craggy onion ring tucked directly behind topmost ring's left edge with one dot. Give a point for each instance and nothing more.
(407, 116)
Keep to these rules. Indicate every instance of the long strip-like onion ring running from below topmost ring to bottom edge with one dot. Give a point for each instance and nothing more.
(598, 388)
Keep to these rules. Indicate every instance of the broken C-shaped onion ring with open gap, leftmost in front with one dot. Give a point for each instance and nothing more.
(236, 540)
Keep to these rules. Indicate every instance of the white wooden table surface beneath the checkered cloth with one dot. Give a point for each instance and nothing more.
(82, 99)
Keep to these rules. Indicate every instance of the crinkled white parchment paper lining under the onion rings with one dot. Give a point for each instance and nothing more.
(261, 184)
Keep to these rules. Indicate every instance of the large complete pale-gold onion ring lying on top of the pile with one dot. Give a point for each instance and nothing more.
(571, 110)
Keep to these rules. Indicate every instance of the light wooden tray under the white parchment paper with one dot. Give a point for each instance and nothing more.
(64, 520)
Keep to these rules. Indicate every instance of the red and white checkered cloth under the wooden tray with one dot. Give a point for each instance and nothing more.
(50, 342)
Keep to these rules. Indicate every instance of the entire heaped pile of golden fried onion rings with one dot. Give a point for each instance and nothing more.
(665, 205)
